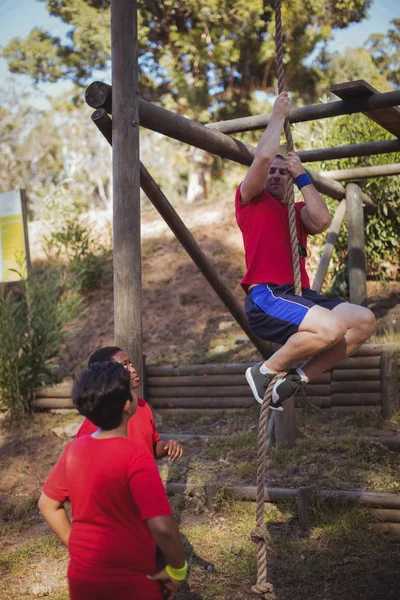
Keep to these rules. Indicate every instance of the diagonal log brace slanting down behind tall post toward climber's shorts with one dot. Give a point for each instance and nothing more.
(171, 217)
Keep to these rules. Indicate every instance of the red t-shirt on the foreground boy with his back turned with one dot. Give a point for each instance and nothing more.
(113, 486)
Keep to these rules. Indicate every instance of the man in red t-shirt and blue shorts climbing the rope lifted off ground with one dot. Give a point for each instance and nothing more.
(321, 331)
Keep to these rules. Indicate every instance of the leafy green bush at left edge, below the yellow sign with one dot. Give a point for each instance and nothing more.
(35, 324)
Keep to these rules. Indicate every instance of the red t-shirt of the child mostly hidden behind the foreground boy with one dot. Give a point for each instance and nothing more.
(141, 427)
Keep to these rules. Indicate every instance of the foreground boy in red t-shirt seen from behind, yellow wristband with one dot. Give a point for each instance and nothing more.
(118, 502)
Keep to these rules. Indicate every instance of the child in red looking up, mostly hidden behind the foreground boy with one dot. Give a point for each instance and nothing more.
(141, 426)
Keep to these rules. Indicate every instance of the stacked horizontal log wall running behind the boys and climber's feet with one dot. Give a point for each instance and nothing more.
(361, 383)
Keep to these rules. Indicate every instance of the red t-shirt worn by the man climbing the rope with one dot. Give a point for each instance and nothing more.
(268, 251)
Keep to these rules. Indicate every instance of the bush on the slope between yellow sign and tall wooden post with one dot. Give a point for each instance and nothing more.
(89, 260)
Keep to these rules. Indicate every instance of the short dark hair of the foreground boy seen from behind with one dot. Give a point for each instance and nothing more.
(101, 392)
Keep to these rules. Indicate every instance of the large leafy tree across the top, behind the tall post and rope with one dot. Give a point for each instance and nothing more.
(193, 54)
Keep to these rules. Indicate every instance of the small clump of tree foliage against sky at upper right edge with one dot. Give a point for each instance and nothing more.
(385, 52)
